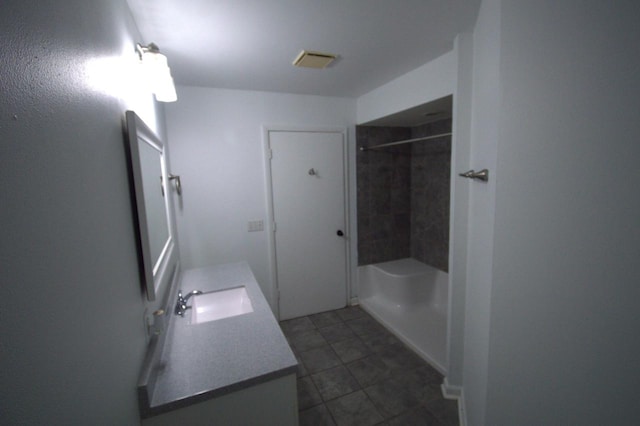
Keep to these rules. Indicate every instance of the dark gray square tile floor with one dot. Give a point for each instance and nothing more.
(352, 371)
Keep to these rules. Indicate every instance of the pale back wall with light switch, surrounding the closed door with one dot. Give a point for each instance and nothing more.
(217, 146)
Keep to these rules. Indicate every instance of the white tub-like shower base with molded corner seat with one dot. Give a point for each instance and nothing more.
(410, 299)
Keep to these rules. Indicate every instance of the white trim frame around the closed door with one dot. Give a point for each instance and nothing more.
(269, 226)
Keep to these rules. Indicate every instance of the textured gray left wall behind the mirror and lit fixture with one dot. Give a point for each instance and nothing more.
(72, 335)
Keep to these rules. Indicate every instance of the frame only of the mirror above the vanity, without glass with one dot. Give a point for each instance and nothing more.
(139, 133)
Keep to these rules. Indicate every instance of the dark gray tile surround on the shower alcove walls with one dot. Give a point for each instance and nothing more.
(403, 195)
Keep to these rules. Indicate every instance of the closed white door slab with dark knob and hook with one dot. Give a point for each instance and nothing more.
(308, 190)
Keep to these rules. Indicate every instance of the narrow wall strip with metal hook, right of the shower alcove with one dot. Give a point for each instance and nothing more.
(484, 131)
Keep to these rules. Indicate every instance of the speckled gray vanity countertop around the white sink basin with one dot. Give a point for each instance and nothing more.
(203, 361)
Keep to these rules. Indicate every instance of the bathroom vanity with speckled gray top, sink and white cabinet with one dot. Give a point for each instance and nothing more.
(236, 369)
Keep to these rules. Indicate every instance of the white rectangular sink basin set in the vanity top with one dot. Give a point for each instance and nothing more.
(220, 304)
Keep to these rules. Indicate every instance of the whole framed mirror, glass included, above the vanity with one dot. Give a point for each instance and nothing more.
(150, 177)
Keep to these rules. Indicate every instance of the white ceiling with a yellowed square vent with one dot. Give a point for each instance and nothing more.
(250, 44)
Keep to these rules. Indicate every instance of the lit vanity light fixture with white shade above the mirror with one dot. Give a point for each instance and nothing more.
(157, 71)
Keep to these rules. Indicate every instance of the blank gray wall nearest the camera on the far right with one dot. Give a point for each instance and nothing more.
(565, 318)
